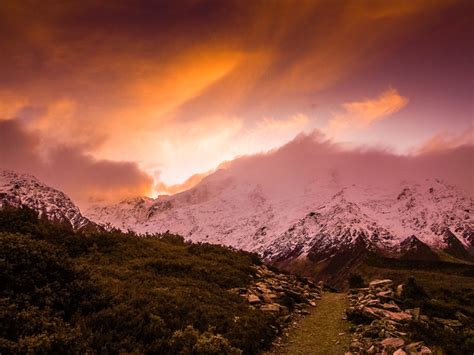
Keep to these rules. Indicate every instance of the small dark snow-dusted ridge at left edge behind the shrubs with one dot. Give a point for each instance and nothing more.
(23, 190)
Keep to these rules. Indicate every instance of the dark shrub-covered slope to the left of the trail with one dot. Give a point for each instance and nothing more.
(110, 292)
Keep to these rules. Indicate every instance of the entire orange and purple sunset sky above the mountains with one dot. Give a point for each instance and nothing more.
(108, 99)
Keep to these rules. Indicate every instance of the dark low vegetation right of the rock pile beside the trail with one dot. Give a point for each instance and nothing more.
(443, 292)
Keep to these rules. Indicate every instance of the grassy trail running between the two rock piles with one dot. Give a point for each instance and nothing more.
(322, 332)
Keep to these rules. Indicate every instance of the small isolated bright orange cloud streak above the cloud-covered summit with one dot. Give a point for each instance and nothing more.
(364, 113)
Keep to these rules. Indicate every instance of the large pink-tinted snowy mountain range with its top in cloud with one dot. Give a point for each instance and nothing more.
(315, 220)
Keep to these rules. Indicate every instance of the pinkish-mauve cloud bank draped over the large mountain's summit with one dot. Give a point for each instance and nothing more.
(313, 158)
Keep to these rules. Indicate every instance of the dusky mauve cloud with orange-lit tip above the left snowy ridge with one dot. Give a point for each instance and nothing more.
(69, 168)
